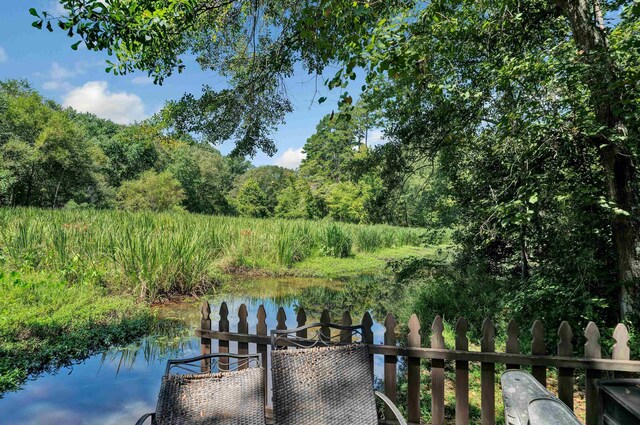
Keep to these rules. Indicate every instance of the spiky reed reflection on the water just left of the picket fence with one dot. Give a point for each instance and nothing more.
(168, 338)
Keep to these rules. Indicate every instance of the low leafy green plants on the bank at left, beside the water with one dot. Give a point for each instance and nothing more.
(48, 324)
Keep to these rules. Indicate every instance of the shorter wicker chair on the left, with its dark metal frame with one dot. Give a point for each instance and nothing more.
(234, 396)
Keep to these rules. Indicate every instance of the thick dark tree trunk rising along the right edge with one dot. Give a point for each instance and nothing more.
(616, 158)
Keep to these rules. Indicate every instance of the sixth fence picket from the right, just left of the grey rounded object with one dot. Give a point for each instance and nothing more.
(487, 376)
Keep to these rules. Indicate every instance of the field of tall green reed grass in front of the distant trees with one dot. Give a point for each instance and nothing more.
(153, 254)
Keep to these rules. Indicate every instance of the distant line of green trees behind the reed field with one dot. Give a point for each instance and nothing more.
(55, 157)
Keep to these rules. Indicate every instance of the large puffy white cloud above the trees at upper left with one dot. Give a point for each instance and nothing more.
(94, 97)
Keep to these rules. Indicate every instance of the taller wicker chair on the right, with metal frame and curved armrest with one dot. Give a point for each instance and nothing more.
(324, 381)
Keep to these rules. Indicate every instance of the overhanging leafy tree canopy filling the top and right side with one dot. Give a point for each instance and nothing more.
(528, 108)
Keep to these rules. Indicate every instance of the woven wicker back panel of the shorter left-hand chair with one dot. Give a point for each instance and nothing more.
(225, 398)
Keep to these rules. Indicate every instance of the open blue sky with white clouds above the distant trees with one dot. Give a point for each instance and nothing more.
(78, 79)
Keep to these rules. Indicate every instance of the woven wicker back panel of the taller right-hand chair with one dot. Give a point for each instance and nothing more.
(323, 386)
